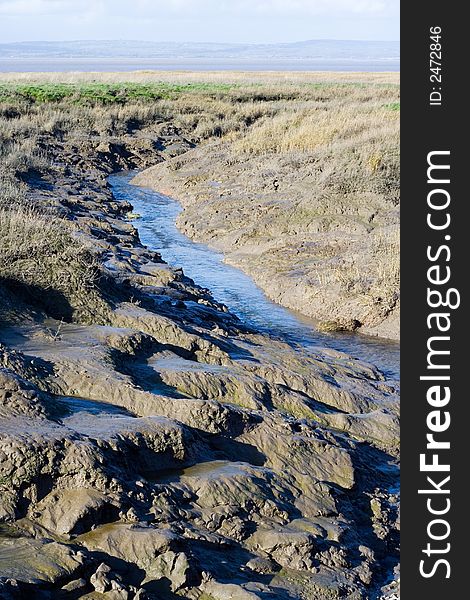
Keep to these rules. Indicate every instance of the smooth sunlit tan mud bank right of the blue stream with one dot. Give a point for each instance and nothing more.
(318, 232)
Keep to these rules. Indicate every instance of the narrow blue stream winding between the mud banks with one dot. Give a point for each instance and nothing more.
(232, 287)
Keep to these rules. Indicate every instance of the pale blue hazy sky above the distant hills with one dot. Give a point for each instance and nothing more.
(246, 21)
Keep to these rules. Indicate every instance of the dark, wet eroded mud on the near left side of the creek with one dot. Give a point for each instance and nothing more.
(152, 447)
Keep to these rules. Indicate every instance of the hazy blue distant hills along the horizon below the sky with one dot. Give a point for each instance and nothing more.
(308, 50)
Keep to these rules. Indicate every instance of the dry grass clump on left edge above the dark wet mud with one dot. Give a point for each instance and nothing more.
(42, 259)
